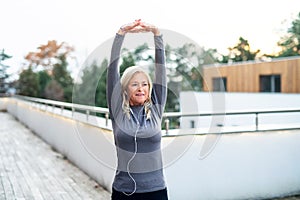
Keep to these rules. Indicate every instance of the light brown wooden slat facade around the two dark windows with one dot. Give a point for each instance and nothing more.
(245, 77)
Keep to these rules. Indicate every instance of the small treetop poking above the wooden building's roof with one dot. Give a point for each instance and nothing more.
(240, 52)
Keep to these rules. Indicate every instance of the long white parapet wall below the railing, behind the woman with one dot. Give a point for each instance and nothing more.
(230, 166)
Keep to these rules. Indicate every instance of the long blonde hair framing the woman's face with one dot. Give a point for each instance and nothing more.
(125, 79)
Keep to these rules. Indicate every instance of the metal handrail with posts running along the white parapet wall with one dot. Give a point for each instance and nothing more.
(166, 115)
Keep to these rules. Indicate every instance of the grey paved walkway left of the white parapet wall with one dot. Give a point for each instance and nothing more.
(30, 169)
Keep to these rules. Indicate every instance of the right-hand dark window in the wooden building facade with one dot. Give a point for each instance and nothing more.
(270, 83)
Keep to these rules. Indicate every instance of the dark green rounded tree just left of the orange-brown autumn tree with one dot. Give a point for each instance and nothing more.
(28, 83)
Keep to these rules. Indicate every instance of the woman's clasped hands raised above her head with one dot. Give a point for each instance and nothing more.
(138, 27)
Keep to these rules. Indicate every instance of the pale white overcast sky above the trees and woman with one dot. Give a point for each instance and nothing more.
(85, 24)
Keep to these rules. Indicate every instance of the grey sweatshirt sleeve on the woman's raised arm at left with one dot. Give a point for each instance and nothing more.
(113, 74)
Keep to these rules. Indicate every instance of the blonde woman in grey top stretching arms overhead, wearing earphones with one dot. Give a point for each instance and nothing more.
(136, 106)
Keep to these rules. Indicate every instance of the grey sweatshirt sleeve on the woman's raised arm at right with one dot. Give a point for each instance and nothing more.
(160, 81)
